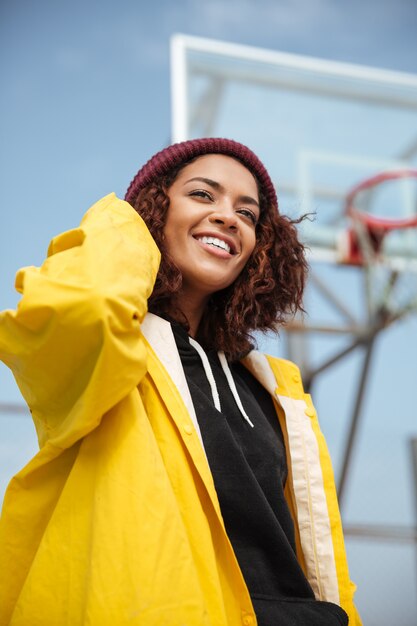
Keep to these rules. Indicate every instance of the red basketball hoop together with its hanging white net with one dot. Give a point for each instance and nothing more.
(384, 247)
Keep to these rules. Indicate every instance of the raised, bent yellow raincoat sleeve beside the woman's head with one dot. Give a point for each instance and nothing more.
(74, 343)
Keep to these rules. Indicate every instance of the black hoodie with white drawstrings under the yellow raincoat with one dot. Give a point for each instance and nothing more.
(249, 470)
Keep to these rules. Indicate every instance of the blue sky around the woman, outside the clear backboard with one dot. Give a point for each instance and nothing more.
(86, 100)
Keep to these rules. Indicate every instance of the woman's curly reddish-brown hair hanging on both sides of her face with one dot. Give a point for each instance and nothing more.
(268, 290)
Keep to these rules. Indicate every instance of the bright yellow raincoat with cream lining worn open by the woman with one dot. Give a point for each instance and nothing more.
(116, 520)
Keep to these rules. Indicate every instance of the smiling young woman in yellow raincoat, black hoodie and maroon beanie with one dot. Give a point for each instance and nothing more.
(182, 477)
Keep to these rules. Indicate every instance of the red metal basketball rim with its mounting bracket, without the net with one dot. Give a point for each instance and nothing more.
(363, 242)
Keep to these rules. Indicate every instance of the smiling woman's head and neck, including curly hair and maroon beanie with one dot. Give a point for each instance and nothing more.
(226, 185)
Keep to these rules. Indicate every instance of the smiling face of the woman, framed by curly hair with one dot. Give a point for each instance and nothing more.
(210, 228)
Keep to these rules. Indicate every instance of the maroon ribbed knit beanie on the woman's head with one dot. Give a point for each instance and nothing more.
(162, 162)
